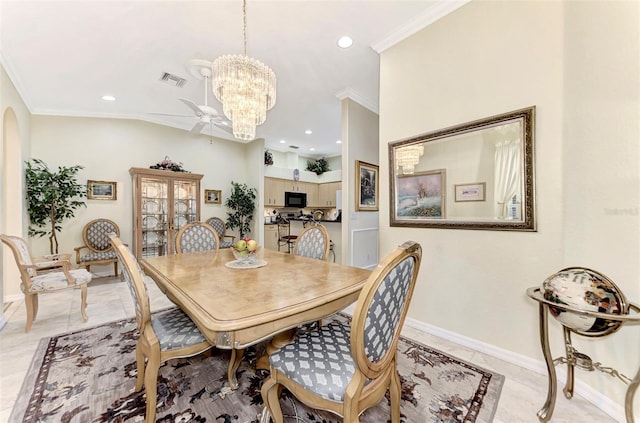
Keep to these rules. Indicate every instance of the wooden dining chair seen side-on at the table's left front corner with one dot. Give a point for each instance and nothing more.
(161, 336)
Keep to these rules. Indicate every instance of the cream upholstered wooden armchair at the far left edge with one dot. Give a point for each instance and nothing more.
(49, 274)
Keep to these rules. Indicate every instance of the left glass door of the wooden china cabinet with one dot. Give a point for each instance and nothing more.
(155, 222)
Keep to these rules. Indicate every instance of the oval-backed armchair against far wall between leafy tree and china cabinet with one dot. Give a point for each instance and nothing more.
(96, 241)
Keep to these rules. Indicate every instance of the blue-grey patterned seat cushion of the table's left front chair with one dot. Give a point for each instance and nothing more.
(175, 329)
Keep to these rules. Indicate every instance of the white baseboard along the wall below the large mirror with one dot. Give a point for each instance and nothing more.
(595, 397)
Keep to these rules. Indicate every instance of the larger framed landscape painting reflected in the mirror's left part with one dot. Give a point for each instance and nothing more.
(418, 197)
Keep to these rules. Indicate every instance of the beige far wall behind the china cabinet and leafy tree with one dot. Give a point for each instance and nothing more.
(108, 148)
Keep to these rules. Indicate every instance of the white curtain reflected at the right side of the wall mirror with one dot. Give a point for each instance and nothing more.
(507, 175)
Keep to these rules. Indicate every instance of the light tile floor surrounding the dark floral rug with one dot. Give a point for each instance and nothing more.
(522, 395)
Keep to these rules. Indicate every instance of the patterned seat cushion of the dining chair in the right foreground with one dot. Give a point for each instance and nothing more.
(319, 360)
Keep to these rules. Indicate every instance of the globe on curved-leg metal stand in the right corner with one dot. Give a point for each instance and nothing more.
(587, 303)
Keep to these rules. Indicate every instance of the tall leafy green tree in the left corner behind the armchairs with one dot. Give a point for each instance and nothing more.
(52, 197)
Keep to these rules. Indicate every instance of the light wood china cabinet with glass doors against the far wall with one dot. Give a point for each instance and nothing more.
(163, 202)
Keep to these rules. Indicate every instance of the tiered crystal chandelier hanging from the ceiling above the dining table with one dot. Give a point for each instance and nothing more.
(246, 88)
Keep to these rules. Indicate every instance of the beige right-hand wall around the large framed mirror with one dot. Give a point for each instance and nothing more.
(577, 62)
